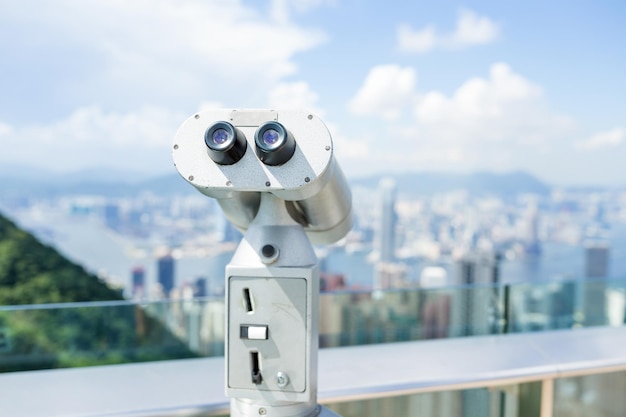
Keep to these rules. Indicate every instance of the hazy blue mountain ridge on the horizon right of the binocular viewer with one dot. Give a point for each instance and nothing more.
(479, 183)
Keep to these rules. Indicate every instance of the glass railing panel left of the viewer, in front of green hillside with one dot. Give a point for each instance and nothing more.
(85, 334)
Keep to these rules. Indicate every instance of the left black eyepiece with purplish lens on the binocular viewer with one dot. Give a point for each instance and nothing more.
(226, 144)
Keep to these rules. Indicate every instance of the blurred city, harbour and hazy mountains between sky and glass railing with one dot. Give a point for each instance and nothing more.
(161, 239)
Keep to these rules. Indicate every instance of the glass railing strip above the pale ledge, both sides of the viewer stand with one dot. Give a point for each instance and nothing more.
(81, 334)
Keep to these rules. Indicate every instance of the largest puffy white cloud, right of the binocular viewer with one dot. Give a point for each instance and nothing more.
(504, 107)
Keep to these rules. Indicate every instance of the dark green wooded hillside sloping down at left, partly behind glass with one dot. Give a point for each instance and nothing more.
(42, 338)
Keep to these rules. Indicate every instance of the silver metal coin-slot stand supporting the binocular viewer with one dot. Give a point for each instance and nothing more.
(272, 296)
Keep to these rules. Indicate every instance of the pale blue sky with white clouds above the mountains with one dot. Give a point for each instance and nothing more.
(403, 86)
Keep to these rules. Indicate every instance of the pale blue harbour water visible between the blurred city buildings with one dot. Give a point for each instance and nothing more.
(105, 253)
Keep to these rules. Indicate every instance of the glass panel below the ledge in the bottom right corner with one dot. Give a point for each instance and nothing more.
(591, 395)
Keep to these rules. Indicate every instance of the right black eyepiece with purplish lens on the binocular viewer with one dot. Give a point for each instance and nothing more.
(274, 144)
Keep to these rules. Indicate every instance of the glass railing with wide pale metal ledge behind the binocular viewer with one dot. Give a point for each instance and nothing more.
(533, 349)
